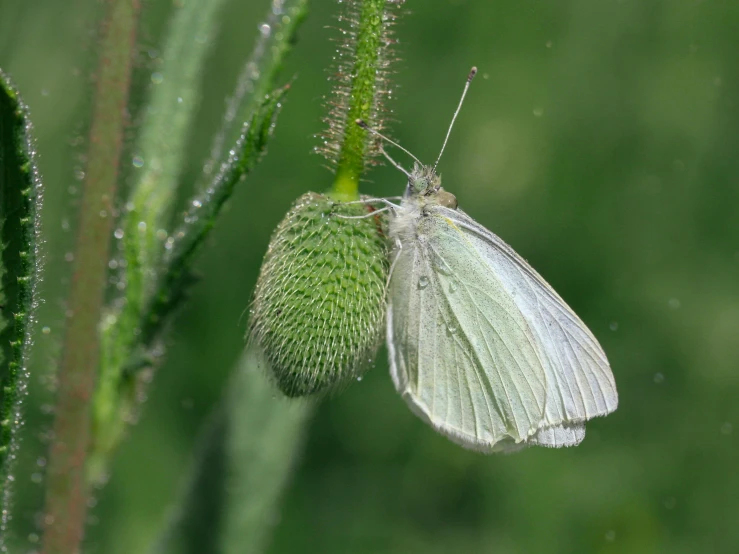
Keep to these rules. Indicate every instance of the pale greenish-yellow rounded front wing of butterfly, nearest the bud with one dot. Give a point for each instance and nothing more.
(461, 351)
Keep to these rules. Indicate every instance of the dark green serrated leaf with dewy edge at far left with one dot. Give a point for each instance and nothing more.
(20, 203)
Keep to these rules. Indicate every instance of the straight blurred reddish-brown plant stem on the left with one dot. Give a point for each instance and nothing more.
(66, 500)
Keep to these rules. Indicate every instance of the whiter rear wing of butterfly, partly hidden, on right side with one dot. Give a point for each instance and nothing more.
(580, 384)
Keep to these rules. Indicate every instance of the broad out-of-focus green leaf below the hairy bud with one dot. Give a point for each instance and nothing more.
(244, 462)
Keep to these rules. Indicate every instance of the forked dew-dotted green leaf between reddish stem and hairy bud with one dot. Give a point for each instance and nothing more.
(151, 291)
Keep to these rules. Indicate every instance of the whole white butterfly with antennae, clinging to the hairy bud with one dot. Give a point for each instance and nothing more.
(481, 347)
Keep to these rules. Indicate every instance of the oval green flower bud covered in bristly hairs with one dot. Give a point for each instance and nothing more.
(319, 303)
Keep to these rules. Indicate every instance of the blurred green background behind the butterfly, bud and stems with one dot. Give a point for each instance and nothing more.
(600, 141)
